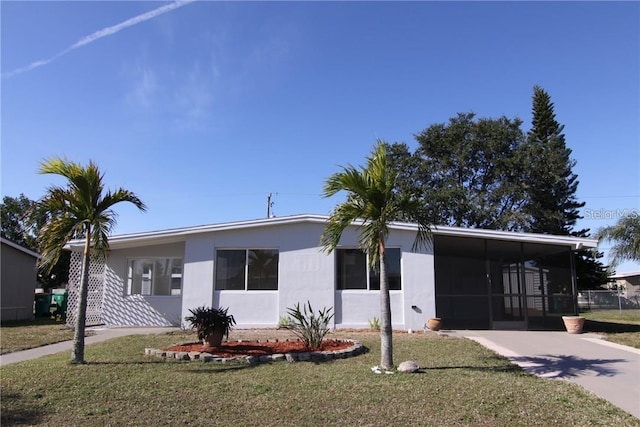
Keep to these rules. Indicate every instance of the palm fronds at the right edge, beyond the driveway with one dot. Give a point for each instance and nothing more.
(625, 235)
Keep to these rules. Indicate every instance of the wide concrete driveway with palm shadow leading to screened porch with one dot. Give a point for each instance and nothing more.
(611, 371)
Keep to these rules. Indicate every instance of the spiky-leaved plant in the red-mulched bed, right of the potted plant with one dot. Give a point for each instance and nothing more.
(310, 327)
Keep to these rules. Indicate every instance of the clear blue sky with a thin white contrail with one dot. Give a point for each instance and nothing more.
(204, 108)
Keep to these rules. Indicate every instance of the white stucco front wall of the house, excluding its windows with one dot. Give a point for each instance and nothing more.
(305, 273)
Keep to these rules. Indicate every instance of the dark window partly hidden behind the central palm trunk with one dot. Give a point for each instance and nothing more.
(354, 274)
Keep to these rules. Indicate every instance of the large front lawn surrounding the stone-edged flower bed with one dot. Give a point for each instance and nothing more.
(462, 384)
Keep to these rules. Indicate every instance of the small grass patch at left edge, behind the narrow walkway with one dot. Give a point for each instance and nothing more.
(22, 335)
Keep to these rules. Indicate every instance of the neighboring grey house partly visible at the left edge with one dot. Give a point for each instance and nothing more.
(18, 275)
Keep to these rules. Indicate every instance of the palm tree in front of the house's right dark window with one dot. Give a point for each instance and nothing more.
(373, 202)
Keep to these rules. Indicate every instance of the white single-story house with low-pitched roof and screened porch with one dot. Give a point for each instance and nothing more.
(470, 278)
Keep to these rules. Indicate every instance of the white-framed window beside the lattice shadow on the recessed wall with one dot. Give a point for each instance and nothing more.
(154, 276)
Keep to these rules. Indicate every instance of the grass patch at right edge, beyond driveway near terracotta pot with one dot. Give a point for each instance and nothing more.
(619, 326)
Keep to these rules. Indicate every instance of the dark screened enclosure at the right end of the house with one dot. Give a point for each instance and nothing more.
(496, 284)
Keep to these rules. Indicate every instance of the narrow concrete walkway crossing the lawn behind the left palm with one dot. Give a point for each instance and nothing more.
(100, 334)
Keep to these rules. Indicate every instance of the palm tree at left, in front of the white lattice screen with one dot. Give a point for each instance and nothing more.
(78, 210)
